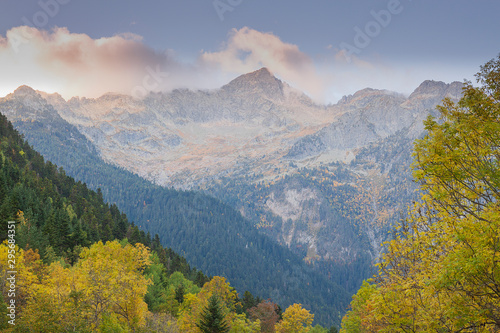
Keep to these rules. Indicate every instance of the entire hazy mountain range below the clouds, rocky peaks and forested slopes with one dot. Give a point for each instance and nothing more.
(324, 181)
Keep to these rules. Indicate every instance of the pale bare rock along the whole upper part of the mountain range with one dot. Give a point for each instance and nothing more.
(255, 118)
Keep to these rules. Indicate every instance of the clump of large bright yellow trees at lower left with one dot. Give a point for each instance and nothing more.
(106, 282)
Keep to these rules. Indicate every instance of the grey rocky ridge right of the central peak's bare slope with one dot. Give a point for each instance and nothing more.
(374, 115)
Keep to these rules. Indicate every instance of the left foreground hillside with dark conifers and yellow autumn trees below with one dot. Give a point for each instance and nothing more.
(66, 247)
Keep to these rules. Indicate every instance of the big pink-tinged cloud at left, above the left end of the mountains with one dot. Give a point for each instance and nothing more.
(77, 65)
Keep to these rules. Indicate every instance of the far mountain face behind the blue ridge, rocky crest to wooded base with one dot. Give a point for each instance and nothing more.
(248, 142)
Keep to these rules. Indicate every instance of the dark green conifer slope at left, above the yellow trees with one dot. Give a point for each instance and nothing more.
(58, 216)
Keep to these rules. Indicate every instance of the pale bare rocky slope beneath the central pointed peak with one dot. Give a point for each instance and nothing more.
(185, 138)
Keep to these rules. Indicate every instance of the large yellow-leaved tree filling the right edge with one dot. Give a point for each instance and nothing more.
(441, 271)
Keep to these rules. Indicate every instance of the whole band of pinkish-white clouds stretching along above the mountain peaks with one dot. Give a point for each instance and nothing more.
(78, 65)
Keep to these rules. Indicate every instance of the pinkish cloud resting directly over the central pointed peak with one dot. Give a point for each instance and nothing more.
(248, 50)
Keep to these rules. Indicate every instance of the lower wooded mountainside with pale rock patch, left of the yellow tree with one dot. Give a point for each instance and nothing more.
(335, 208)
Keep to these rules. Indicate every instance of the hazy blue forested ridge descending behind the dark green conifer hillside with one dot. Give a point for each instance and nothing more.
(211, 235)
